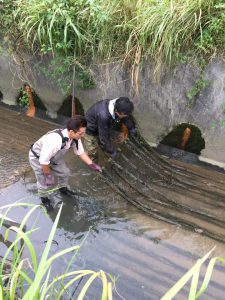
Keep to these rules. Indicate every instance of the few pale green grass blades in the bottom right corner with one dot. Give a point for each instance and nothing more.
(193, 274)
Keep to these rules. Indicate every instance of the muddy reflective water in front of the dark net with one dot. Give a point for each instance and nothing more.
(145, 254)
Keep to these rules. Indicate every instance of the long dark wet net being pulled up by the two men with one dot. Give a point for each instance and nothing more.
(169, 190)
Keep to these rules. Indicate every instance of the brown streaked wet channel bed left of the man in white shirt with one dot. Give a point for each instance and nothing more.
(17, 133)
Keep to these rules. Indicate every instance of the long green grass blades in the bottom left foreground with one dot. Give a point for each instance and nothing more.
(27, 278)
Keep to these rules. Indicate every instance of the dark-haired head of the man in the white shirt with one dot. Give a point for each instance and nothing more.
(76, 127)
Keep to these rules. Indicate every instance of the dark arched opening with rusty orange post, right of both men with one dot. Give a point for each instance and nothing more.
(185, 137)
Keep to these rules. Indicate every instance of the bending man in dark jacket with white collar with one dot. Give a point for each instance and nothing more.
(101, 117)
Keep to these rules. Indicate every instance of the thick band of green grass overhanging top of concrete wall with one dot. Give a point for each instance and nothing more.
(165, 31)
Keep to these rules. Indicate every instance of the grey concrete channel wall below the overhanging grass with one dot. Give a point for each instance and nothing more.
(159, 105)
